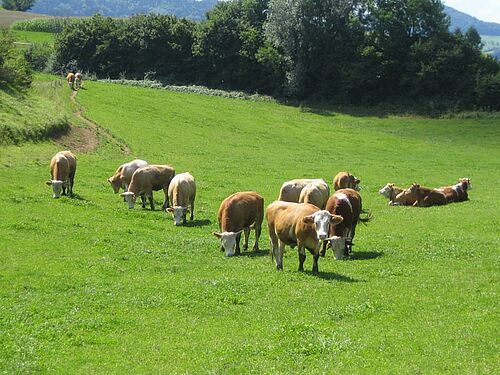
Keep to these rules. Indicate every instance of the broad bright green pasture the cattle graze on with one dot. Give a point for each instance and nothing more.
(88, 286)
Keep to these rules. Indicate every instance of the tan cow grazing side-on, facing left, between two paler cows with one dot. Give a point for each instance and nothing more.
(145, 180)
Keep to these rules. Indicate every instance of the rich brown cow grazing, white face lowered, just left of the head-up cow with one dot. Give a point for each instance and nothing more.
(238, 213)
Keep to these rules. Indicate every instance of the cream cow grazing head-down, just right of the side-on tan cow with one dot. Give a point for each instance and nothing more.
(181, 194)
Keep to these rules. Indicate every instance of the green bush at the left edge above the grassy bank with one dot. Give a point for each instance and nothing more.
(14, 70)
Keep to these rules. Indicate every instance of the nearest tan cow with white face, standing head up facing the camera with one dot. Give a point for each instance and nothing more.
(298, 224)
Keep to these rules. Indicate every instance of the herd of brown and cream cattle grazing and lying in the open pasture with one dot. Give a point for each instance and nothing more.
(304, 216)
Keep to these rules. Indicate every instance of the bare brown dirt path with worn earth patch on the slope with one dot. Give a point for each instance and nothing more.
(86, 139)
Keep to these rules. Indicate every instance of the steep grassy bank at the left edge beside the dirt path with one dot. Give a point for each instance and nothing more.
(33, 115)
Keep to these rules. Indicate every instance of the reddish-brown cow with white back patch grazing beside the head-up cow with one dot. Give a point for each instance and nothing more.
(346, 203)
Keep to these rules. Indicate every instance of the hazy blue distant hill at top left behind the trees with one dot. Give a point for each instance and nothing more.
(194, 9)
